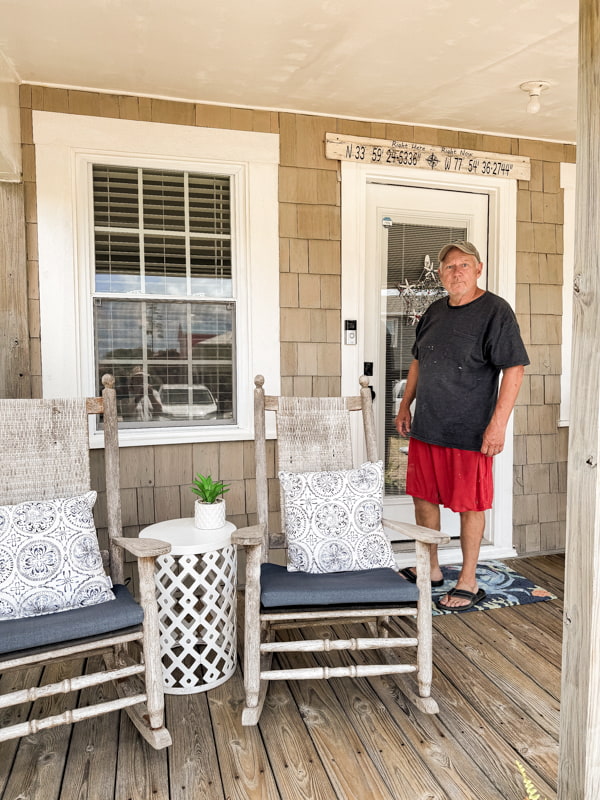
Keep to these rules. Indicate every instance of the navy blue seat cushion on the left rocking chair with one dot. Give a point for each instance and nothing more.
(77, 623)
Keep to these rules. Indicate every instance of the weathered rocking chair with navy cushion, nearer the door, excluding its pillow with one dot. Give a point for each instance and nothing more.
(276, 598)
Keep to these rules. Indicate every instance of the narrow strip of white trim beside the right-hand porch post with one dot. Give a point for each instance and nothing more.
(567, 183)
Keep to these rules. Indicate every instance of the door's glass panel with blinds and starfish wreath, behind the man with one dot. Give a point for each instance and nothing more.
(411, 286)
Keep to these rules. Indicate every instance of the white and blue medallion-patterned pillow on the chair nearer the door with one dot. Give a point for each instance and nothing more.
(333, 520)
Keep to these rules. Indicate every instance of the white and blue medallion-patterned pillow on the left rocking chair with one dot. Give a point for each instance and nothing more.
(49, 557)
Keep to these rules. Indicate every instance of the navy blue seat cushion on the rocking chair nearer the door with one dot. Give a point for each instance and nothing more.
(381, 586)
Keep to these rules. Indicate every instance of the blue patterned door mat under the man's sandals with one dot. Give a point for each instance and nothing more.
(503, 587)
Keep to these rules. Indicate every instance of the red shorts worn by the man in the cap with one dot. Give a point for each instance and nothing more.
(460, 480)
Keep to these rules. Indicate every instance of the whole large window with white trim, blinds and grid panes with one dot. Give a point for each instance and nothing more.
(159, 267)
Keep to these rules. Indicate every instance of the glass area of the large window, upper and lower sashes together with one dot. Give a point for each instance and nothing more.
(164, 309)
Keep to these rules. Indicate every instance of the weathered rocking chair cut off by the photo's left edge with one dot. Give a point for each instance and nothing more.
(45, 456)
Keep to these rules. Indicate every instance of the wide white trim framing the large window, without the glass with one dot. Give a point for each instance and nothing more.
(65, 145)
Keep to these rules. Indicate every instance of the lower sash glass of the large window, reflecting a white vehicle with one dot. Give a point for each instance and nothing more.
(172, 362)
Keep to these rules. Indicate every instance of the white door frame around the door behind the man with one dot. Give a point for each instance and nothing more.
(501, 280)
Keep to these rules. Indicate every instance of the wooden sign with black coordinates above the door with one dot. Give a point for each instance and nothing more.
(425, 156)
